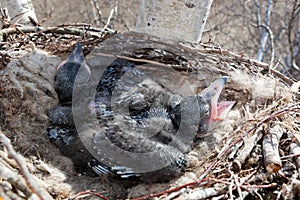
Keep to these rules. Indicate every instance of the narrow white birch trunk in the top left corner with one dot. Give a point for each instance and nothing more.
(20, 11)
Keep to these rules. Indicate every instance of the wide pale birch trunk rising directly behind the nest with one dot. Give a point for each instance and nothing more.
(174, 19)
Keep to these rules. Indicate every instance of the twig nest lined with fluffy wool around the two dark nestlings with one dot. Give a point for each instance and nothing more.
(252, 153)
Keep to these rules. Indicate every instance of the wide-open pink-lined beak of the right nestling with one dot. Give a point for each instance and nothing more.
(219, 110)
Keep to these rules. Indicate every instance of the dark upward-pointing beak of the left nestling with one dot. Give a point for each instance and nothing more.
(76, 56)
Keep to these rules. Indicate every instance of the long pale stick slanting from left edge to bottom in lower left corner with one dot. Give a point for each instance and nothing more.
(30, 180)
